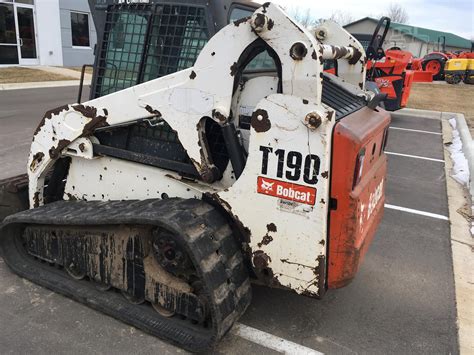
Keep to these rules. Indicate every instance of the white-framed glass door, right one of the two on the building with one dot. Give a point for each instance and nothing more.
(26, 35)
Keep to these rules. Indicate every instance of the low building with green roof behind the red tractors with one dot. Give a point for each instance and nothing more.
(417, 40)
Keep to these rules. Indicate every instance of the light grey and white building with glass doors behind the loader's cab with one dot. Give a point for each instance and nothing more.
(46, 32)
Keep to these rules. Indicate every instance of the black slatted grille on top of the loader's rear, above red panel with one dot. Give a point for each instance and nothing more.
(341, 100)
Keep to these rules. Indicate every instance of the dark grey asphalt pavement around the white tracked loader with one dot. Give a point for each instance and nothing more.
(401, 302)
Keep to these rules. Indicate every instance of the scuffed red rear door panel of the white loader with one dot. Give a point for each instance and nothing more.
(358, 159)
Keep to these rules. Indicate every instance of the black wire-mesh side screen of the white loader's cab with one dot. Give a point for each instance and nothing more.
(144, 42)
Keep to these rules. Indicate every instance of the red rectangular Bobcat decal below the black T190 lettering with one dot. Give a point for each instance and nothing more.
(286, 190)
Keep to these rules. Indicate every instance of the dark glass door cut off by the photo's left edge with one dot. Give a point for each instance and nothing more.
(8, 35)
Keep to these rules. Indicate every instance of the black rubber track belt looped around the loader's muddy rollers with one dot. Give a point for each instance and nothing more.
(211, 246)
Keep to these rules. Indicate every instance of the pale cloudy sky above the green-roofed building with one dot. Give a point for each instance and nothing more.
(455, 16)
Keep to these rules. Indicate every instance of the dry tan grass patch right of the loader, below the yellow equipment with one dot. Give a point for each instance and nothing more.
(446, 98)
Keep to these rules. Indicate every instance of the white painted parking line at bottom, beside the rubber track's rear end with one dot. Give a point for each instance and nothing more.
(271, 341)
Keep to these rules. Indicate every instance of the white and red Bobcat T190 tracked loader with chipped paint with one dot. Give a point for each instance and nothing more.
(157, 203)
